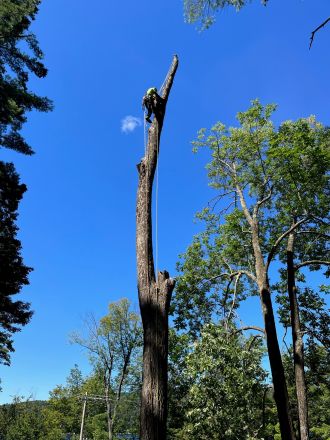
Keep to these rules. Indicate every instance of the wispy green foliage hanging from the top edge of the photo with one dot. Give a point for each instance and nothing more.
(203, 11)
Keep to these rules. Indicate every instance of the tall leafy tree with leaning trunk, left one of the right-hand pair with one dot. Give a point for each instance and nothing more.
(233, 255)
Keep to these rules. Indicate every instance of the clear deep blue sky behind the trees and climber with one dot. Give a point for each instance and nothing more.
(77, 220)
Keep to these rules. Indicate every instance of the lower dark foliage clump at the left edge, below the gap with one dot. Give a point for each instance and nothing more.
(13, 273)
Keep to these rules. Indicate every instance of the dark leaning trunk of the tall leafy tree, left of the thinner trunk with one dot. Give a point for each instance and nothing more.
(275, 359)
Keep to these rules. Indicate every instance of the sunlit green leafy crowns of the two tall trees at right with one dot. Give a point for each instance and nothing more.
(262, 173)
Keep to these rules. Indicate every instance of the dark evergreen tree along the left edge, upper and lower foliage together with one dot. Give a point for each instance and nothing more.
(20, 56)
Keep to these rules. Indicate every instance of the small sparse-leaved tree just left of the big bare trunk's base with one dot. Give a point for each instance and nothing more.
(114, 346)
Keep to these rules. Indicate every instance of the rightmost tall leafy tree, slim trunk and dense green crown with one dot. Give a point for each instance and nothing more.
(302, 163)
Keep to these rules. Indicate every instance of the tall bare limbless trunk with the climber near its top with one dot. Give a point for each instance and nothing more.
(154, 294)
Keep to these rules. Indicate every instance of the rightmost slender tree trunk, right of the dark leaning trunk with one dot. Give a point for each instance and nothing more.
(297, 340)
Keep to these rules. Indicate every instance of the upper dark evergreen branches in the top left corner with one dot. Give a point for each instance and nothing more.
(20, 55)
